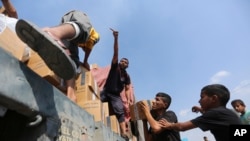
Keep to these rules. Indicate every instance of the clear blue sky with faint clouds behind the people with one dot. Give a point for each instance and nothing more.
(174, 46)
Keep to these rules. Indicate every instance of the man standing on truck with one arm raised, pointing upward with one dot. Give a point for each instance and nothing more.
(117, 80)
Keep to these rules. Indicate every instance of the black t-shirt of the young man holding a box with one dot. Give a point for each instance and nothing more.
(166, 135)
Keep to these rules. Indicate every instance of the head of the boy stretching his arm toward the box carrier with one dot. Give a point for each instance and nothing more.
(213, 96)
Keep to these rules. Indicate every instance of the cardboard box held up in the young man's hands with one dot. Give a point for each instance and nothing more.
(135, 111)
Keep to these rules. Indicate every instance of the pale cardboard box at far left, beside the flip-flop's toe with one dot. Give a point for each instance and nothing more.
(10, 42)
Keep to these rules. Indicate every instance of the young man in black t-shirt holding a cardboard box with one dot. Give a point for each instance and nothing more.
(159, 111)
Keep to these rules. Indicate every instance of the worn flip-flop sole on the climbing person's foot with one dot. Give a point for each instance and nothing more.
(48, 49)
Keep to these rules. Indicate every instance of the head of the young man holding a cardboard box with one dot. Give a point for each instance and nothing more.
(162, 101)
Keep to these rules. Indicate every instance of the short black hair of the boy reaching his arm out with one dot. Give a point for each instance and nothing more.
(219, 90)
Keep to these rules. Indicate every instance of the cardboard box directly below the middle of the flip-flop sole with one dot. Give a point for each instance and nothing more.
(38, 66)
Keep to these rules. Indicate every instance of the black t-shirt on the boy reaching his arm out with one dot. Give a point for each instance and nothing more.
(217, 120)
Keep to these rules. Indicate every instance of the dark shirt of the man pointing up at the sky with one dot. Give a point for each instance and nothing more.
(117, 79)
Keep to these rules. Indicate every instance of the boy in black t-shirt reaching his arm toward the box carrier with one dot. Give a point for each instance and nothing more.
(216, 117)
